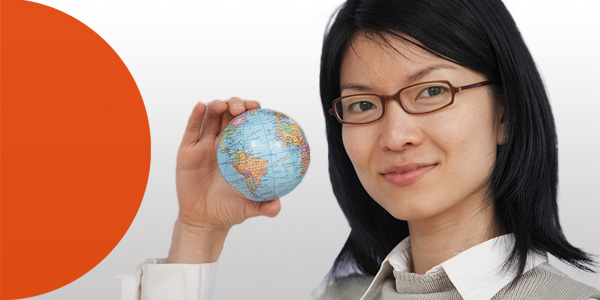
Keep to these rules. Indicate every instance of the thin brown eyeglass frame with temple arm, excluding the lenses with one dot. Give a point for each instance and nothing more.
(396, 96)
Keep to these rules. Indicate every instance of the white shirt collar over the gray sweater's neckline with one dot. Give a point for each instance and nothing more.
(476, 272)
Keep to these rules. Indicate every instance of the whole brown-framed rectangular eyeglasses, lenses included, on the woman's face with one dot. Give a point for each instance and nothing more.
(420, 98)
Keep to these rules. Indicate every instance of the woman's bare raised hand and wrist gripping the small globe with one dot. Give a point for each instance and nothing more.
(208, 207)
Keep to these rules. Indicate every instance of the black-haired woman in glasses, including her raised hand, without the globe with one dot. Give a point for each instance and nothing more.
(439, 128)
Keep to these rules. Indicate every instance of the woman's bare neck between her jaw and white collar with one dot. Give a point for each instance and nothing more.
(439, 238)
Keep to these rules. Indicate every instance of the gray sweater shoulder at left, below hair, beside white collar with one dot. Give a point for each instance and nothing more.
(344, 287)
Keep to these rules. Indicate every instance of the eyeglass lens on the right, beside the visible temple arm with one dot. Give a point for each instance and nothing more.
(426, 97)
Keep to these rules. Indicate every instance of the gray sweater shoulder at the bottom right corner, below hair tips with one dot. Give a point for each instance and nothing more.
(547, 282)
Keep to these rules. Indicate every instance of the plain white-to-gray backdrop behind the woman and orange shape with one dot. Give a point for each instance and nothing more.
(181, 52)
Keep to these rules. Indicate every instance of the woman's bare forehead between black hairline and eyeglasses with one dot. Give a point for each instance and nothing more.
(375, 59)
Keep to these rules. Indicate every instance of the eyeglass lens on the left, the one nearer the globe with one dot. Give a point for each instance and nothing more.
(359, 108)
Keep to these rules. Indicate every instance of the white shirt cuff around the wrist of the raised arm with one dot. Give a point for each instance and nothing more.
(155, 280)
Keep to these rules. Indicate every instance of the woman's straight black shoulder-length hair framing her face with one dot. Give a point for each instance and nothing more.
(480, 35)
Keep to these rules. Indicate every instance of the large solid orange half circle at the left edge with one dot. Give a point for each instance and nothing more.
(75, 149)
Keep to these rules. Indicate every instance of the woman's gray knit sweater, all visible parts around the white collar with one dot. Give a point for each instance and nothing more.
(542, 282)
